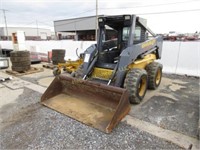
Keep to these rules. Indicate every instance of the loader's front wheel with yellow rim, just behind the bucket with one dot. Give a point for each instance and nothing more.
(136, 84)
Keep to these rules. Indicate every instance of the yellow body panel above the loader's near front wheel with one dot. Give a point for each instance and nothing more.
(142, 63)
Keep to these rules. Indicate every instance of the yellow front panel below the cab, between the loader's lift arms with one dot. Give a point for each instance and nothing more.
(102, 73)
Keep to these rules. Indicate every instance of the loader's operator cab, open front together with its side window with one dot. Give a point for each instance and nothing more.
(114, 37)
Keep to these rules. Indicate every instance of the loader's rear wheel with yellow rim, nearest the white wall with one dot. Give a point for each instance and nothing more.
(154, 71)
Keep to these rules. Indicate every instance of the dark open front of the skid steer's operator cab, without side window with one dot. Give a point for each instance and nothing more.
(110, 42)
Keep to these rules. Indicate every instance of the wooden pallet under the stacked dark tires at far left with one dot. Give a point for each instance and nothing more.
(30, 71)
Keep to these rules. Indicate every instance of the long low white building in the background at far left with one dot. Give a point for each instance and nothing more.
(30, 33)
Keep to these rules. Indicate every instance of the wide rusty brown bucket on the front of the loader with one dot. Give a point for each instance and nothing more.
(94, 104)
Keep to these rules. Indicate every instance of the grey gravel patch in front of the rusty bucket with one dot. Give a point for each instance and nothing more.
(39, 127)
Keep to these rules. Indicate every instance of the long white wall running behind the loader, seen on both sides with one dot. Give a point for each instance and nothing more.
(177, 57)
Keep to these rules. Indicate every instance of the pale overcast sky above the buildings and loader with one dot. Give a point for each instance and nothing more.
(162, 15)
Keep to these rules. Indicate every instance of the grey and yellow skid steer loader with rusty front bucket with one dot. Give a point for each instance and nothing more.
(115, 71)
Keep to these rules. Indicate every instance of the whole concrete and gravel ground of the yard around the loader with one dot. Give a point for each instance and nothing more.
(166, 119)
